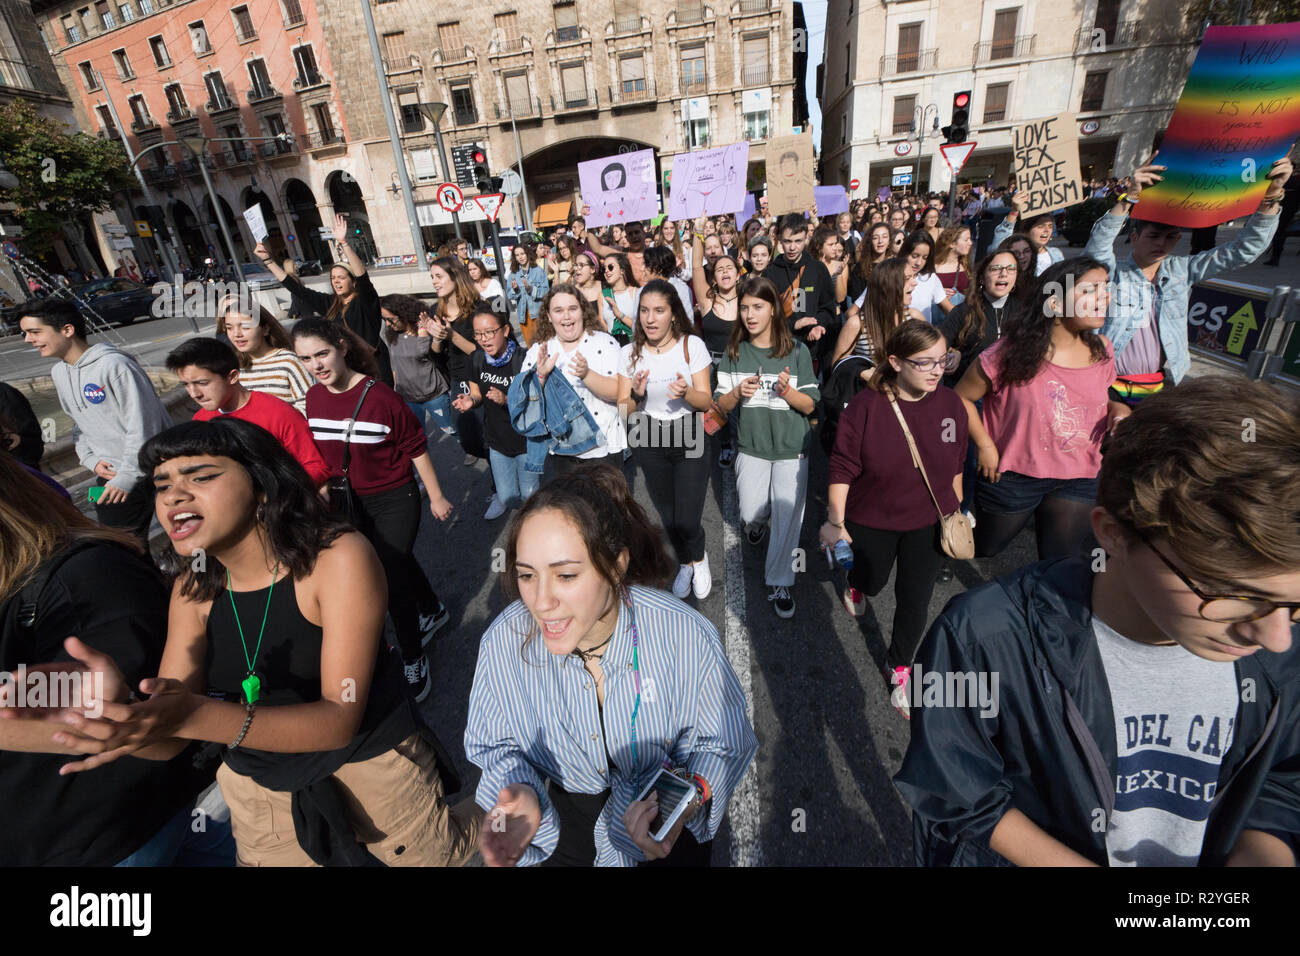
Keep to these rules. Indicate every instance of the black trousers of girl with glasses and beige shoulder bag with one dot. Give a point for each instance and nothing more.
(920, 559)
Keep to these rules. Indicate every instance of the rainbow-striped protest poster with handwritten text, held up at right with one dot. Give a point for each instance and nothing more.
(1238, 115)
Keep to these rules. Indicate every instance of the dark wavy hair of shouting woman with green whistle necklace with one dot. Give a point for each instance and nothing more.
(292, 514)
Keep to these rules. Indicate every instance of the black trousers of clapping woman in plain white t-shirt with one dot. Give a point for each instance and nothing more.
(678, 481)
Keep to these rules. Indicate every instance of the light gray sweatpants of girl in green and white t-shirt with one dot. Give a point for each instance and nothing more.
(775, 492)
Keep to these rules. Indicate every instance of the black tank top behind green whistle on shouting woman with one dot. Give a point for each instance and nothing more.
(289, 663)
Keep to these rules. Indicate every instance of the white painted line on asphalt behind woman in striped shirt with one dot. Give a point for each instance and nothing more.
(743, 812)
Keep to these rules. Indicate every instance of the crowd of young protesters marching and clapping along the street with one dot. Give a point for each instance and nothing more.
(946, 392)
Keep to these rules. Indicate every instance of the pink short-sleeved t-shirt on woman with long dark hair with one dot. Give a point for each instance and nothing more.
(1054, 425)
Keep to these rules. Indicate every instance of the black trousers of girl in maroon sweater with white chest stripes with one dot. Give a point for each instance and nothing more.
(391, 521)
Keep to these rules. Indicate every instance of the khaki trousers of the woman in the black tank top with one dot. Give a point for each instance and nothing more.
(396, 804)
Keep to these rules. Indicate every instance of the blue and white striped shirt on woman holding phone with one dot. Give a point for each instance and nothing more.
(534, 716)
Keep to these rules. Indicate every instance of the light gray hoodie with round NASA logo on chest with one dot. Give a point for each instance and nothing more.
(115, 409)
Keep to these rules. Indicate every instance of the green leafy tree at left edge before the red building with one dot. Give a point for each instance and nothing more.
(62, 174)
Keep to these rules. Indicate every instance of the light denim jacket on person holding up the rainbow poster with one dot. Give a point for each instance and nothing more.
(1132, 295)
